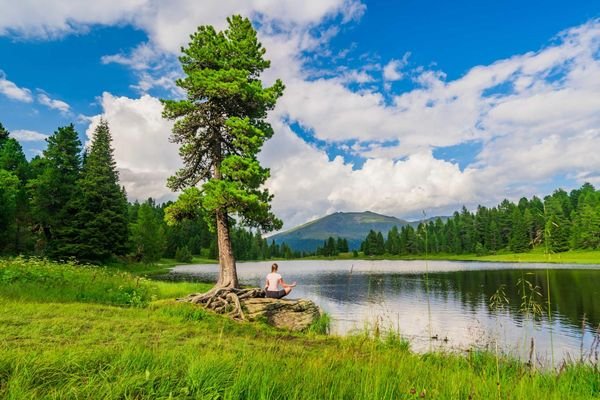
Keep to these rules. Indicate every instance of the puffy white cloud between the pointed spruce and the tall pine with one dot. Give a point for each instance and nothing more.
(145, 157)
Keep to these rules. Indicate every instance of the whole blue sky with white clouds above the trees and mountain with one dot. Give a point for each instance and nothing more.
(403, 108)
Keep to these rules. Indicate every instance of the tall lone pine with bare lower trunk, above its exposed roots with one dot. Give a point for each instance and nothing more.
(221, 126)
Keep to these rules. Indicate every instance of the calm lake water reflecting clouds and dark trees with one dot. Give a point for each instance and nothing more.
(452, 305)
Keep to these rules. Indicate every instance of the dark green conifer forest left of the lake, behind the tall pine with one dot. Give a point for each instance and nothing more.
(68, 203)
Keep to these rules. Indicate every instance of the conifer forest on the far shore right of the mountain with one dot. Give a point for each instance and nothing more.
(560, 222)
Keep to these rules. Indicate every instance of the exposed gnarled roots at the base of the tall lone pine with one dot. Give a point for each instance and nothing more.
(225, 300)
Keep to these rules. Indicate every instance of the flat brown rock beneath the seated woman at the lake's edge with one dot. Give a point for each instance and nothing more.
(295, 315)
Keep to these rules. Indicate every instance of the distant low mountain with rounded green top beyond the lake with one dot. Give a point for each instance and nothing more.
(353, 226)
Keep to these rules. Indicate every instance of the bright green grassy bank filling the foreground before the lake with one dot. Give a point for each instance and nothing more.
(64, 337)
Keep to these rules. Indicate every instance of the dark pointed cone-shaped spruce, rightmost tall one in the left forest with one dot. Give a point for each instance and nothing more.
(101, 220)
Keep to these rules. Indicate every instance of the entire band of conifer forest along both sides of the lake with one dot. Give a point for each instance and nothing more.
(68, 203)
